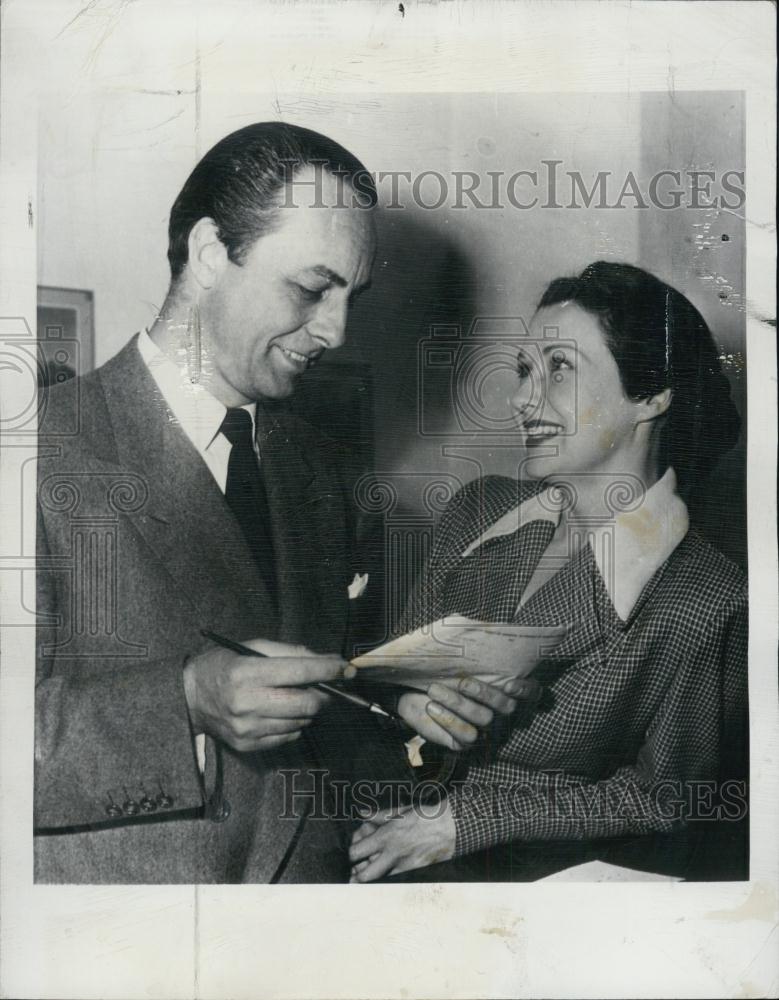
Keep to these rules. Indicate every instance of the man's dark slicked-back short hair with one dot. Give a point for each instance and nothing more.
(238, 182)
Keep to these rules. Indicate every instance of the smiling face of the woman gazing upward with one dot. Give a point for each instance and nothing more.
(569, 403)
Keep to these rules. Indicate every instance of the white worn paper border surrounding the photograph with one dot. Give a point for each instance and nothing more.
(419, 940)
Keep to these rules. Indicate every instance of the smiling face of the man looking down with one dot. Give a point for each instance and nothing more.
(266, 320)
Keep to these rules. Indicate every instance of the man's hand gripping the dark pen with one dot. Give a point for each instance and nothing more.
(257, 703)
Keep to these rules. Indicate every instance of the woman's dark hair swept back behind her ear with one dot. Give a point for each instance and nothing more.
(660, 341)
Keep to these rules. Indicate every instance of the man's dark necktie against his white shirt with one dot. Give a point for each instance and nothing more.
(245, 494)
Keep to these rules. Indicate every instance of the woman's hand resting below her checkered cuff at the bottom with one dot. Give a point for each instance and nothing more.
(394, 841)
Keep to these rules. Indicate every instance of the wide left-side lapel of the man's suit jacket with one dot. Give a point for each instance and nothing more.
(185, 520)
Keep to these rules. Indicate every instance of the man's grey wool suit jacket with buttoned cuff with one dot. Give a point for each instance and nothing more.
(138, 551)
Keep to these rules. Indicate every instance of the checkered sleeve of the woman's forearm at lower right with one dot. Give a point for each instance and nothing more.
(694, 745)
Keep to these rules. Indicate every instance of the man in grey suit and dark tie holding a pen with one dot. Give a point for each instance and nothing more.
(179, 505)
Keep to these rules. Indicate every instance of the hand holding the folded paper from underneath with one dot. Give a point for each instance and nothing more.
(453, 716)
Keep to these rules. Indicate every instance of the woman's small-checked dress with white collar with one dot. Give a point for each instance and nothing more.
(633, 711)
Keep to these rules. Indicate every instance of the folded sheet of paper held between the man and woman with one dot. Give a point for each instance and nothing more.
(457, 647)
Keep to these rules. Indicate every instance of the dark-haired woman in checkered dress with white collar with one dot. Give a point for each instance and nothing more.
(621, 407)
